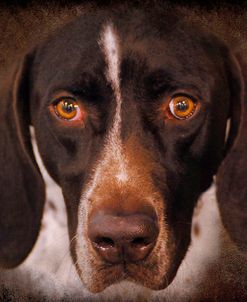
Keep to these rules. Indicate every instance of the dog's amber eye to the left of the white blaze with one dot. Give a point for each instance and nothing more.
(67, 108)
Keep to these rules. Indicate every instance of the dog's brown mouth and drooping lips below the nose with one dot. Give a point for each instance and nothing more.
(155, 272)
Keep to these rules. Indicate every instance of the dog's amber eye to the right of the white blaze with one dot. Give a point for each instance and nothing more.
(182, 107)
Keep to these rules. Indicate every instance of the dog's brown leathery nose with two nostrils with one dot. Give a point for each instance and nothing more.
(123, 238)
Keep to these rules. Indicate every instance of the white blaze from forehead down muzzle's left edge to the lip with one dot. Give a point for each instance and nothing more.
(111, 155)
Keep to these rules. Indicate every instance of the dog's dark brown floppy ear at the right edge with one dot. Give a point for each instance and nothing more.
(232, 175)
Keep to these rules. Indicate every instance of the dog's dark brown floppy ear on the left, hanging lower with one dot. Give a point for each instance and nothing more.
(22, 191)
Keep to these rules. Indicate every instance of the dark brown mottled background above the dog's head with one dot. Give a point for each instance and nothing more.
(24, 24)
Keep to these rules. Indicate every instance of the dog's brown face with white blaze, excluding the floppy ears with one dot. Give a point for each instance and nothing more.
(126, 155)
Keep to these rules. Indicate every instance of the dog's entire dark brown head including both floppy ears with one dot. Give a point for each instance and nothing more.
(130, 114)
